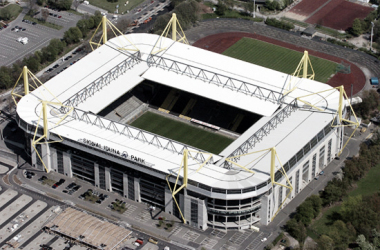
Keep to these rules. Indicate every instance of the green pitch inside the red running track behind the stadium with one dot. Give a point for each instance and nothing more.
(278, 58)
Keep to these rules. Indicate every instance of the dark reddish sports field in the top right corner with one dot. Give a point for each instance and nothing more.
(339, 14)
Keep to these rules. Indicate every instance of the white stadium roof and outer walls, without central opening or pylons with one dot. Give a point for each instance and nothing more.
(135, 163)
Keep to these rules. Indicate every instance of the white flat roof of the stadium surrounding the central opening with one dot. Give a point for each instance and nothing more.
(218, 77)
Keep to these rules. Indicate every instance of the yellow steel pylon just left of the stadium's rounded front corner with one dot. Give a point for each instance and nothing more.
(185, 167)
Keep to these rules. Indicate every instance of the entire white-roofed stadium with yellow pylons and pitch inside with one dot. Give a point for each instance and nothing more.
(251, 138)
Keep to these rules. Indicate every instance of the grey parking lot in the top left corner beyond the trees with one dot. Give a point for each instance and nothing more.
(38, 36)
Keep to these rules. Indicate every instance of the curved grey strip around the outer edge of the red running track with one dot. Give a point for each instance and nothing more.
(215, 26)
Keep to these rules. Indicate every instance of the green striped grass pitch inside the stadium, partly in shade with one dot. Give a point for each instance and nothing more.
(182, 132)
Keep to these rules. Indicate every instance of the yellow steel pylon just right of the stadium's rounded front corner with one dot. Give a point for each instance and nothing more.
(273, 169)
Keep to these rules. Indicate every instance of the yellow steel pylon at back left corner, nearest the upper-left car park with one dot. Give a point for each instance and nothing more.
(105, 23)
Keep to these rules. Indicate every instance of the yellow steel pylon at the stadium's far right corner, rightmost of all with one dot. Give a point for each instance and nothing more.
(339, 113)
